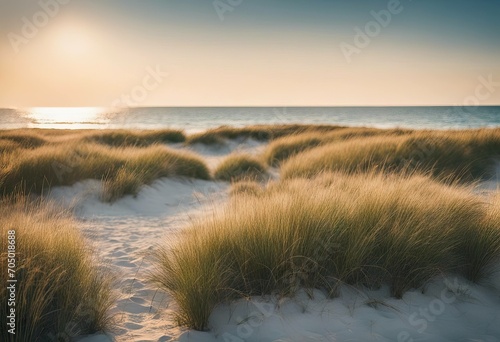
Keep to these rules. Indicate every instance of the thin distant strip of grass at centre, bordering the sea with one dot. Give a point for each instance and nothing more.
(257, 132)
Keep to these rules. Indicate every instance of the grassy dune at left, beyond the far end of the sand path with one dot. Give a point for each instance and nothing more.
(32, 160)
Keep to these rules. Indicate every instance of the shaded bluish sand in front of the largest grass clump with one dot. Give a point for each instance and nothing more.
(449, 310)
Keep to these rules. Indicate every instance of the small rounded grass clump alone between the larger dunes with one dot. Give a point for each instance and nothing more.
(238, 167)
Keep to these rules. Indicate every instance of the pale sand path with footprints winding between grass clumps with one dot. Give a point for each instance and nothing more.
(124, 232)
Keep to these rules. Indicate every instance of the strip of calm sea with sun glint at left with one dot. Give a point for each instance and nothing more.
(193, 119)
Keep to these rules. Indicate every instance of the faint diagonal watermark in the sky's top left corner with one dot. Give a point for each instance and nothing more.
(32, 26)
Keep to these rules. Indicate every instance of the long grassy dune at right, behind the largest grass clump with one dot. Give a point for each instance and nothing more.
(451, 155)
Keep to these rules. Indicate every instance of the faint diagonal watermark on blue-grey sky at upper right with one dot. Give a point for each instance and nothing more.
(363, 36)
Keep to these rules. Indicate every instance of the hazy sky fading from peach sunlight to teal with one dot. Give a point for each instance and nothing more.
(119, 53)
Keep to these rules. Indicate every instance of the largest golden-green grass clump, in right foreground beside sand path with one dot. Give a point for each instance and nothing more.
(361, 230)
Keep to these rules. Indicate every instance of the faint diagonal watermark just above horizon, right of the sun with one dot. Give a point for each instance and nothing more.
(150, 82)
